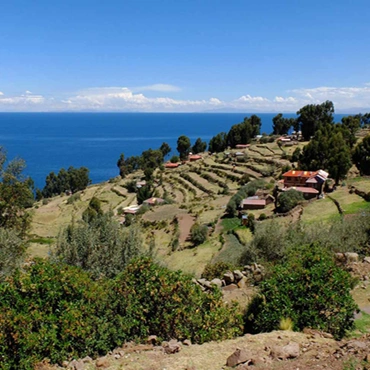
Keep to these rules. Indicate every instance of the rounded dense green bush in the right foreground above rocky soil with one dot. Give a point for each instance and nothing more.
(310, 290)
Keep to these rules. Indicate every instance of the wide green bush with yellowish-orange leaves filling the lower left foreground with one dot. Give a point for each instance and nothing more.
(58, 312)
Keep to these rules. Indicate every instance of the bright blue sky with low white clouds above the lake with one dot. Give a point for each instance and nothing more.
(184, 55)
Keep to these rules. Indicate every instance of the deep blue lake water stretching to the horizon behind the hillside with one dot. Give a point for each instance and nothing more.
(50, 141)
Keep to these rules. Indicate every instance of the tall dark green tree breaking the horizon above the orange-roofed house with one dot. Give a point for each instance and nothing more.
(312, 116)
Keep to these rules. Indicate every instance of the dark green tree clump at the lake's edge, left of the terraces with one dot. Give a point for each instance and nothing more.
(74, 179)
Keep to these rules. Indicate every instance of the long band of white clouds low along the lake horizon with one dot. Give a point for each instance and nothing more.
(123, 99)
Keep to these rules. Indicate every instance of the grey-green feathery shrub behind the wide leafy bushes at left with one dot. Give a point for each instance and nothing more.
(100, 246)
